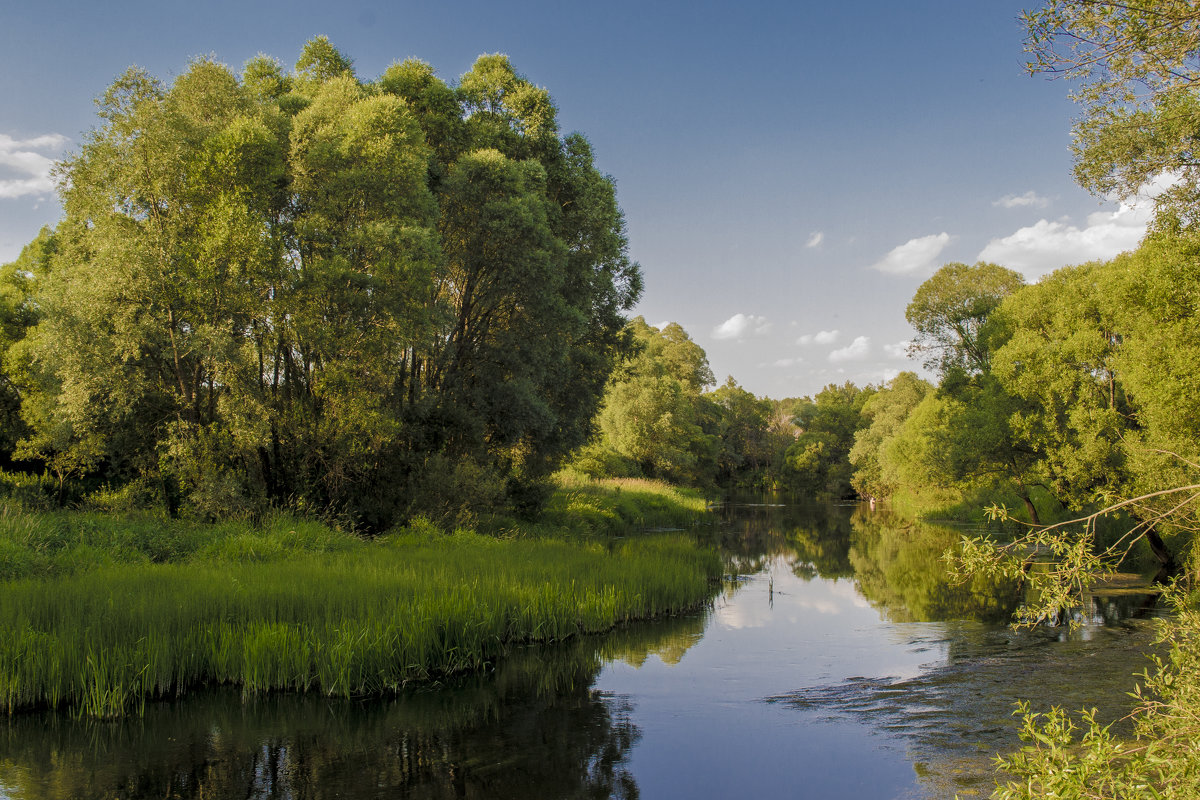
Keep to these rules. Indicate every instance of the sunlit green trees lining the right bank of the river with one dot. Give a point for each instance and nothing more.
(1059, 396)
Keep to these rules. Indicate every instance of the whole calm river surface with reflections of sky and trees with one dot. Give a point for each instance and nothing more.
(841, 664)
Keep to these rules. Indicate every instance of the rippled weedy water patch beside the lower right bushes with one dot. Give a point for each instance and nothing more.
(958, 713)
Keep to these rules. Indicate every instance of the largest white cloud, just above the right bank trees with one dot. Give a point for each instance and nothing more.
(1046, 245)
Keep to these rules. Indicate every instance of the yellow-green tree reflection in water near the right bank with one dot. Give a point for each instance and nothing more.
(901, 569)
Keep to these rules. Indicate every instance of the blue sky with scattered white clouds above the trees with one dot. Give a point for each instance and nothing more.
(790, 172)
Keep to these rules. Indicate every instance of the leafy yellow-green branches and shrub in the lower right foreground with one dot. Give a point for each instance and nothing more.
(1073, 755)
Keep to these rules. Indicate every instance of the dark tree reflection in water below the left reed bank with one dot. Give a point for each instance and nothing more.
(532, 730)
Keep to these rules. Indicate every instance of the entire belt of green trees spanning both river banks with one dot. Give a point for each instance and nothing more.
(377, 299)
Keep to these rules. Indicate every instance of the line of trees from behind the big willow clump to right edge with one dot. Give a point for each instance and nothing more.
(1052, 398)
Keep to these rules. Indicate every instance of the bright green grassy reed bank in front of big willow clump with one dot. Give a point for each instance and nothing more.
(100, 613)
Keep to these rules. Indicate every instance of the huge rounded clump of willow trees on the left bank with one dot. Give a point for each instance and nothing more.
(307, 290)
